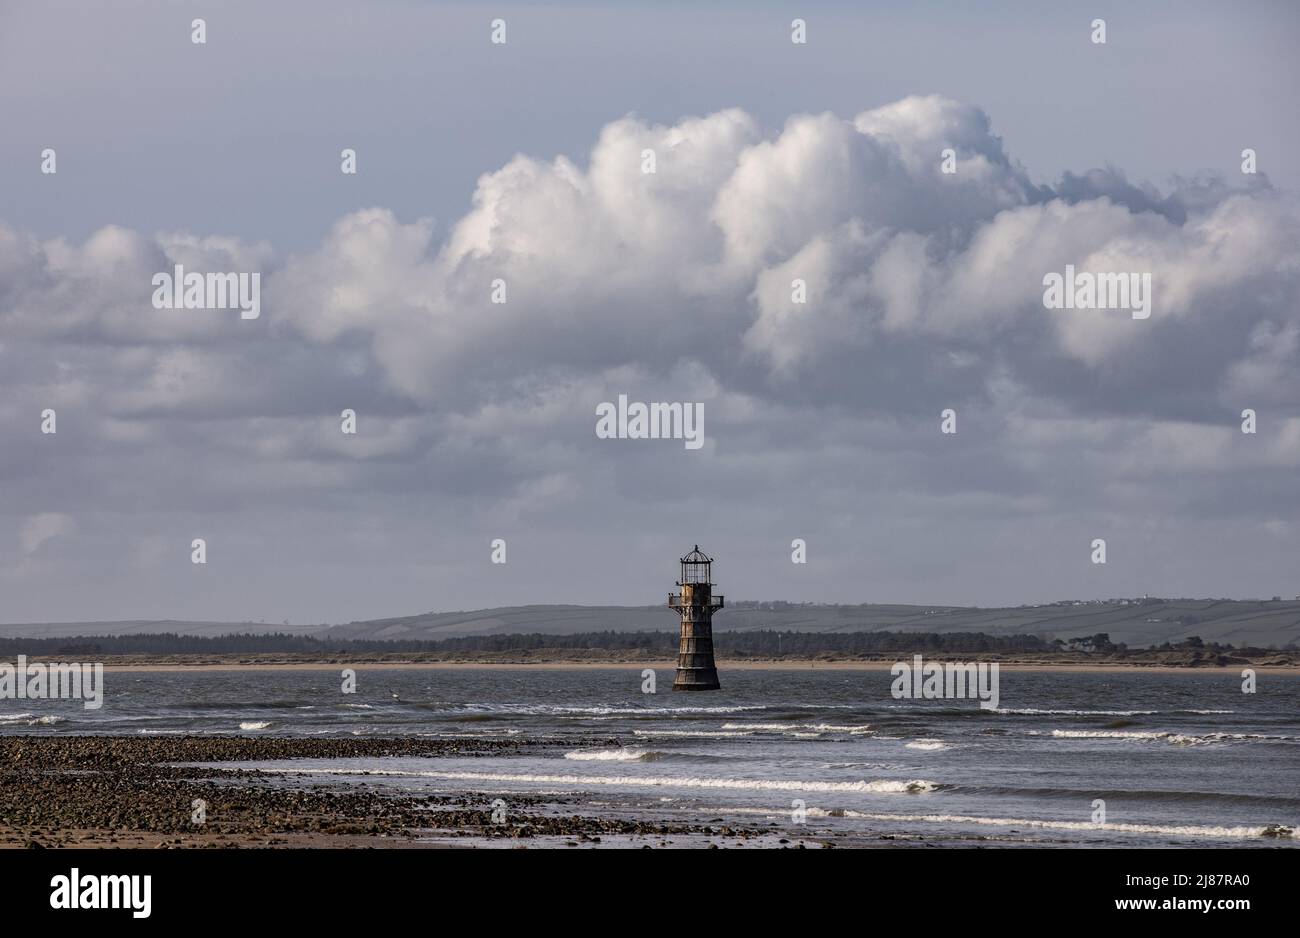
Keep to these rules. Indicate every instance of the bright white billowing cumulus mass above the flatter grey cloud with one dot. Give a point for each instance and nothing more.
(904, 264)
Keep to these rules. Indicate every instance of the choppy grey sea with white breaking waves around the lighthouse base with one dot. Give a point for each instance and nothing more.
(1178, 758)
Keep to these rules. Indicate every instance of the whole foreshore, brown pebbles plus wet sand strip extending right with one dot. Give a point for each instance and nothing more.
(119, 792)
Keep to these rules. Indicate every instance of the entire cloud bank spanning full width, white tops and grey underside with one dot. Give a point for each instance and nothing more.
(924, 293)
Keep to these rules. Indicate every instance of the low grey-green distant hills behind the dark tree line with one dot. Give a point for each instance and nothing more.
(1136, 623)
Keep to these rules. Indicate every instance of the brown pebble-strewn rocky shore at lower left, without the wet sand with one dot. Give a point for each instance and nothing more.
(123, 792)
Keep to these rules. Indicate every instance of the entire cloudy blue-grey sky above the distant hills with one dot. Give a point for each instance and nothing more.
(523, 163)
